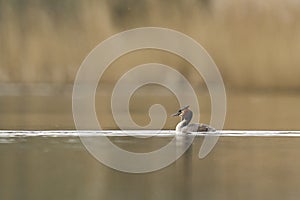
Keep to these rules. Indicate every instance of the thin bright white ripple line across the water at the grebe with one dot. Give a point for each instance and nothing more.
(144, 133)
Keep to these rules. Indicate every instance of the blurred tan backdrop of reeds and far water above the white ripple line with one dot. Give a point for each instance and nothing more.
(255, 44)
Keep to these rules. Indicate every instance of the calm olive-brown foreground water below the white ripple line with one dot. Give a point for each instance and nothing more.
(56, 165)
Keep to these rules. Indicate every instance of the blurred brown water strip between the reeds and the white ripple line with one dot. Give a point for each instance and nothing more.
(258, 111)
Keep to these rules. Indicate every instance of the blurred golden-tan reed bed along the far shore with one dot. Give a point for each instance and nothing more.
(255, 44)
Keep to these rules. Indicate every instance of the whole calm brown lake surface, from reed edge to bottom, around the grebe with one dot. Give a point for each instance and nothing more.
(56, 165)
